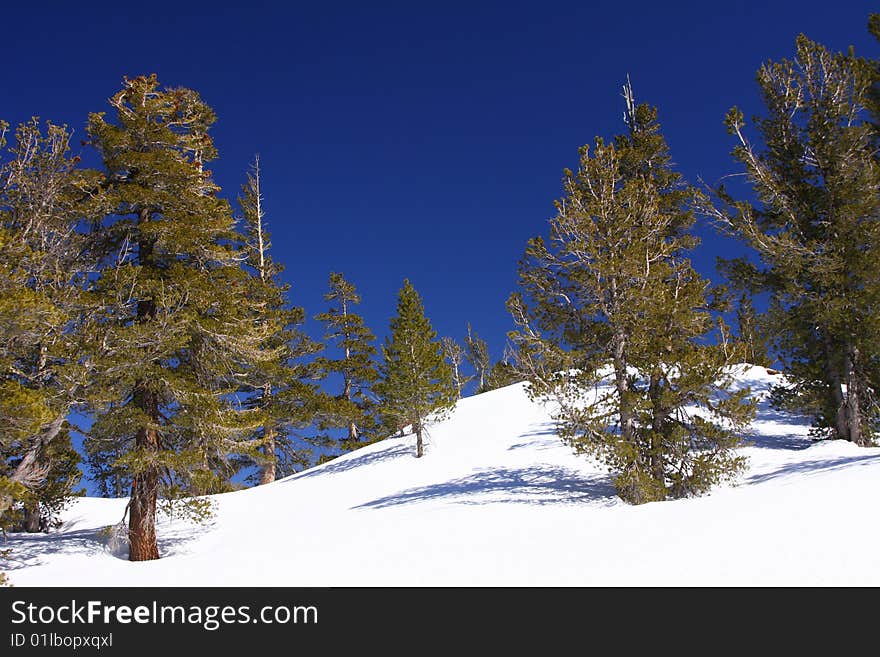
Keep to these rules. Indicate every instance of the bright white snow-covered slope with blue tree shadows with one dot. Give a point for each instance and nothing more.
(498, 500)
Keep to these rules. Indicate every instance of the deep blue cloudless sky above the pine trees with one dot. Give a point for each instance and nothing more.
(412, 139)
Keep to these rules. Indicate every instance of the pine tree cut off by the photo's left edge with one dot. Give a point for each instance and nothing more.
(43, 269)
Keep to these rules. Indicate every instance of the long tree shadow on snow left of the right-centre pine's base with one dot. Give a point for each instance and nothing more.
(534, 485)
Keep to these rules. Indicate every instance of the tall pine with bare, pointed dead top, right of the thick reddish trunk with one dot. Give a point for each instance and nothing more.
(279, 384)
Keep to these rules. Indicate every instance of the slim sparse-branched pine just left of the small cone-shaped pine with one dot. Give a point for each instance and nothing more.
(345, 329)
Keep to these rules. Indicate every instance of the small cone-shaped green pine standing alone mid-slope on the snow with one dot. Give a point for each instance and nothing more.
(416, 386)
